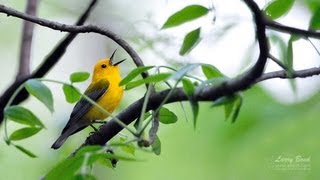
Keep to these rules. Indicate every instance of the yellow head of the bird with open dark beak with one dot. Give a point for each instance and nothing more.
(106, 68)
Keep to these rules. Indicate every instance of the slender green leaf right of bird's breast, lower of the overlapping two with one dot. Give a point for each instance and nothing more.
(150, 79)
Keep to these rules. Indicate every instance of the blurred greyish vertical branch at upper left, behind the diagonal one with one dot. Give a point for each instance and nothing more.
(27, 34)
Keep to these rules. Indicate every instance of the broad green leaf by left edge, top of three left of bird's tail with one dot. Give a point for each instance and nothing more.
(22, 115)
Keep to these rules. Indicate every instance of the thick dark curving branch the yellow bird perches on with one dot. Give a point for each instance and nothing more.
(109, 130)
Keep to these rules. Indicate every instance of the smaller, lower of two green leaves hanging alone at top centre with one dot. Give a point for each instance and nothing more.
(190, 41)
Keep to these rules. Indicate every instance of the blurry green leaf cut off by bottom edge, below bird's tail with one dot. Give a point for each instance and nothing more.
(66, 169)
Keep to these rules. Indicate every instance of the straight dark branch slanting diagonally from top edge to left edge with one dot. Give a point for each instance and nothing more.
(47, 64)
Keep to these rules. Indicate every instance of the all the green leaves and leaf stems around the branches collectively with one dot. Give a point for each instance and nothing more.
(78, 166)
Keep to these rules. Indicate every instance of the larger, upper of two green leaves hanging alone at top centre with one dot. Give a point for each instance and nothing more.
(186, 14)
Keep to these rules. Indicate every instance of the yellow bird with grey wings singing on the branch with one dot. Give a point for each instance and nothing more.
(104, 90)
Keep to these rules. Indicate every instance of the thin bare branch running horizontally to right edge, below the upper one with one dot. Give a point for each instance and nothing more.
(284, 75)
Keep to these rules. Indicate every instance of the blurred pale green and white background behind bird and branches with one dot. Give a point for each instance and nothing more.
(269, 131)
